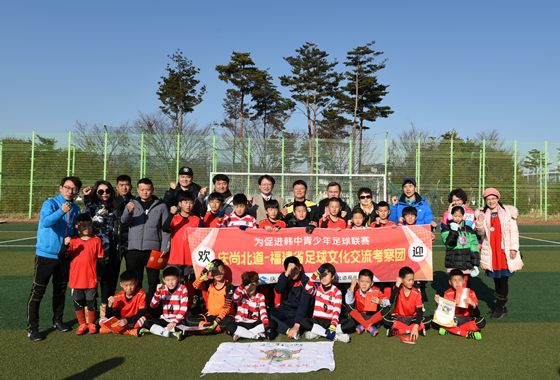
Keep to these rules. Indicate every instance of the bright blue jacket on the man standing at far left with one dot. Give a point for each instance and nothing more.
(54, 226)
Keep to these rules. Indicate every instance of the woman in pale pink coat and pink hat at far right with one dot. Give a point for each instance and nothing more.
(499, 255)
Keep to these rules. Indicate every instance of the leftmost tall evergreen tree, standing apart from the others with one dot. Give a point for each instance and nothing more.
(178, 90)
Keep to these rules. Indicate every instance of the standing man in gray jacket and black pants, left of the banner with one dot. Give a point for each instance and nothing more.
(145, 216)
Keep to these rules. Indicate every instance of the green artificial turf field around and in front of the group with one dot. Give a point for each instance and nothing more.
(524, 344)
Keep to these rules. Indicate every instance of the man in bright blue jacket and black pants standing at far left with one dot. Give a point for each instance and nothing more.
(57, 221)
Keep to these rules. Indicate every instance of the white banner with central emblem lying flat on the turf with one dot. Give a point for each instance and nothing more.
(271, 357)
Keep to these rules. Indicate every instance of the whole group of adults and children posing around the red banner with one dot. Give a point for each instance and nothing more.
(84, 251)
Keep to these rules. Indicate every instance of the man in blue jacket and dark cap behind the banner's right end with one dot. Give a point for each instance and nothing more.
(410, 197)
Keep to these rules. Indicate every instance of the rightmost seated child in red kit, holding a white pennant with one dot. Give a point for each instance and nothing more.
(468, 320)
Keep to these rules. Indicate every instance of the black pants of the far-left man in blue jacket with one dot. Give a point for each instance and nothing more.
(44, 269)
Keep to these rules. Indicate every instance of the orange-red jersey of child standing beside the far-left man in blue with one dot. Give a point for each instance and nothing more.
(83, 267)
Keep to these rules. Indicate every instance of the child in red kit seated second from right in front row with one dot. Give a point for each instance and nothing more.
(408, 315)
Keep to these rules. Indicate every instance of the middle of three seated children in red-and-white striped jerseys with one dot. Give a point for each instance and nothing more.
(251, 320)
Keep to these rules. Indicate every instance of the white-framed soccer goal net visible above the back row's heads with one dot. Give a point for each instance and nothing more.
(247, 183)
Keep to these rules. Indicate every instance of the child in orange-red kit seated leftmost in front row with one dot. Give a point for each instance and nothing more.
(128, 306)
